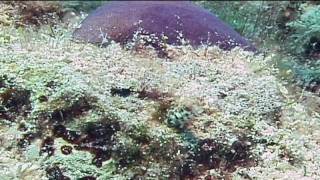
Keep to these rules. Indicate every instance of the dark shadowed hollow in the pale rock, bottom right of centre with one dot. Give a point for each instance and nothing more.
(211, 154)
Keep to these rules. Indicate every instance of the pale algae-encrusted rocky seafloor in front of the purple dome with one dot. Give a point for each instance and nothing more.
(72, 110)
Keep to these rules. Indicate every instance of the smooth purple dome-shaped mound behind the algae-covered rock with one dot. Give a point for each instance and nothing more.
(158, 23)
